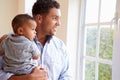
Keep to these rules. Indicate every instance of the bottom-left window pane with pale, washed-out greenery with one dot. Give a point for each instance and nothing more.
(89, 70)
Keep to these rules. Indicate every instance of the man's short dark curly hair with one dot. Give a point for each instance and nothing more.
(43, 6)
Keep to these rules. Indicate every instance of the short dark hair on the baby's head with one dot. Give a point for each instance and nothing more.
(19, 20)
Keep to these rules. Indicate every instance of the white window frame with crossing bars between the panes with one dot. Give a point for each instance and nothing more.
(81, 42)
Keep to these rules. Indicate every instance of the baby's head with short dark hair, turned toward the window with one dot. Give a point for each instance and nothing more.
(24, 25)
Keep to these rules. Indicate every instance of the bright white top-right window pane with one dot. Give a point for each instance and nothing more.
(107, 10)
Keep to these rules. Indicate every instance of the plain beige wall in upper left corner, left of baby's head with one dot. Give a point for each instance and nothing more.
(8, 9)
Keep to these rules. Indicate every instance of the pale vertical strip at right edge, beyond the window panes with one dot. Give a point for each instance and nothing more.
(116, 49)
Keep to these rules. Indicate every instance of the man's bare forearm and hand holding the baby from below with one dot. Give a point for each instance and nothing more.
(37, 74)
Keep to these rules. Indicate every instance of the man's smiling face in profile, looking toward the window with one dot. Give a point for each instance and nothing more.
(50, 22)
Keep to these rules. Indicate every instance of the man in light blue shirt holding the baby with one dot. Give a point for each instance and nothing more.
(54, 58)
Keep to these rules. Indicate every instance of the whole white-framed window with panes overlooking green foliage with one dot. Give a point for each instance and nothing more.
(97, 28)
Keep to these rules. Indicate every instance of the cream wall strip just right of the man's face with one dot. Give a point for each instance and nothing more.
(62, 30)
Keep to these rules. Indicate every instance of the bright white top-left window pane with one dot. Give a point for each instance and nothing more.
(92, 11)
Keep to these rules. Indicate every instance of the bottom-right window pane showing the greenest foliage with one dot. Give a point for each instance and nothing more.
(105, 72)
